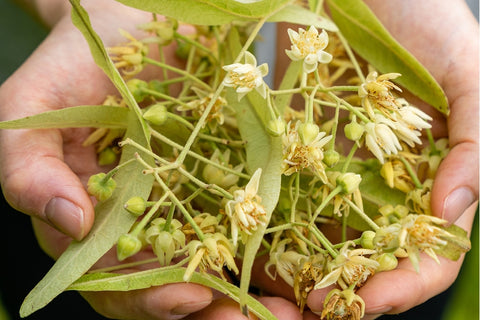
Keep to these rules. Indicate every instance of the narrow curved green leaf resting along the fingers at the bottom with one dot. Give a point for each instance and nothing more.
(161, 276)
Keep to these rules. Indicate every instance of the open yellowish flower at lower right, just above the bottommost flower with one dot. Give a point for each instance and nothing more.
(350, 267)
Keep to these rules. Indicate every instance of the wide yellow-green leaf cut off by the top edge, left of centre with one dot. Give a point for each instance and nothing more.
(213, 12)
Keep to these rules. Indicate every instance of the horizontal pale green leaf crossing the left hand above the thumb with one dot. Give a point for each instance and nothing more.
(74, 117)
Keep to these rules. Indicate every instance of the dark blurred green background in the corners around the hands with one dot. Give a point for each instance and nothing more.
(20, 34)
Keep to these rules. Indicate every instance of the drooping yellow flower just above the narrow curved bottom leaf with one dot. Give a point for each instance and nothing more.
(213, 253)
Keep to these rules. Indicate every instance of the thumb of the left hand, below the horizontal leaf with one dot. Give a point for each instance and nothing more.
(36, 180)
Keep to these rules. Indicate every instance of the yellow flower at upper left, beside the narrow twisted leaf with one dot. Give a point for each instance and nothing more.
(129, 57)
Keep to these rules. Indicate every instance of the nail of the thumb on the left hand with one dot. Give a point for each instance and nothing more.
(66, 217)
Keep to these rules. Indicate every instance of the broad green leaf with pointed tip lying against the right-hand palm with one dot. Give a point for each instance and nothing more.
(373, 42)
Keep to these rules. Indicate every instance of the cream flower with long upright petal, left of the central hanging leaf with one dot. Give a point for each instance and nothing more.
(246, 211)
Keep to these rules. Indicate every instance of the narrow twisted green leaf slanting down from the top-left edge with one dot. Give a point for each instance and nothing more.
(81, 20)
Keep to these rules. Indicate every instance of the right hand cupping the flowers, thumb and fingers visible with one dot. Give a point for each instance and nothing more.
(451, 55)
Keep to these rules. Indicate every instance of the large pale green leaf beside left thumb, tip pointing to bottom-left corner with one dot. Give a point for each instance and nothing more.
(111, 221)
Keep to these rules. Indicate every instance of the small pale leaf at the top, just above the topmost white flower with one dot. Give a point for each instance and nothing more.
(299, 15)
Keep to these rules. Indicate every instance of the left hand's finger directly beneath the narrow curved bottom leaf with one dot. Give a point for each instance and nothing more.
(167, 302)
